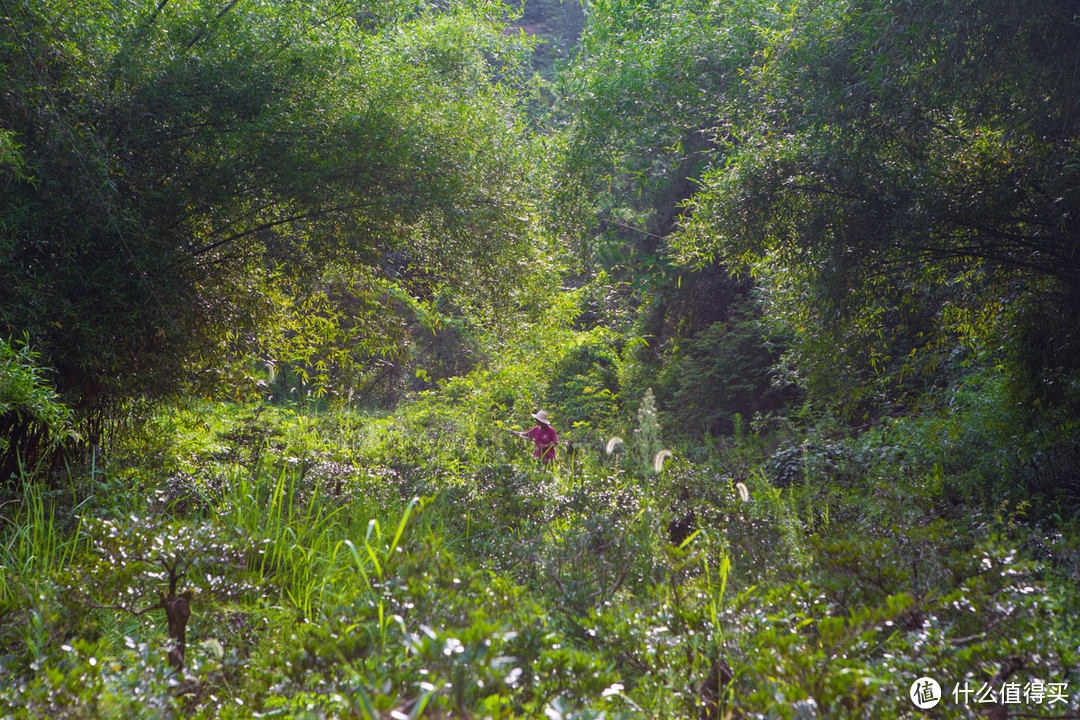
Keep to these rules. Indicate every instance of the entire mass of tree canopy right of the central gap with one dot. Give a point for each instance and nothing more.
(902, 179)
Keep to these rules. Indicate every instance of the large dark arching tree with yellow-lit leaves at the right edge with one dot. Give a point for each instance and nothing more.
(904, 175)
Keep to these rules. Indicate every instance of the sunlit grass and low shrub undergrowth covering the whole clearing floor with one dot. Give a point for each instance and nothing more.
(420, 565)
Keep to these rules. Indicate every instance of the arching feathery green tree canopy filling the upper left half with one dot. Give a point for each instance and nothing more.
(172, 173)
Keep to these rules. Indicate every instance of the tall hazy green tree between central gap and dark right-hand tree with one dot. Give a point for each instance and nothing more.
(645, 114)
